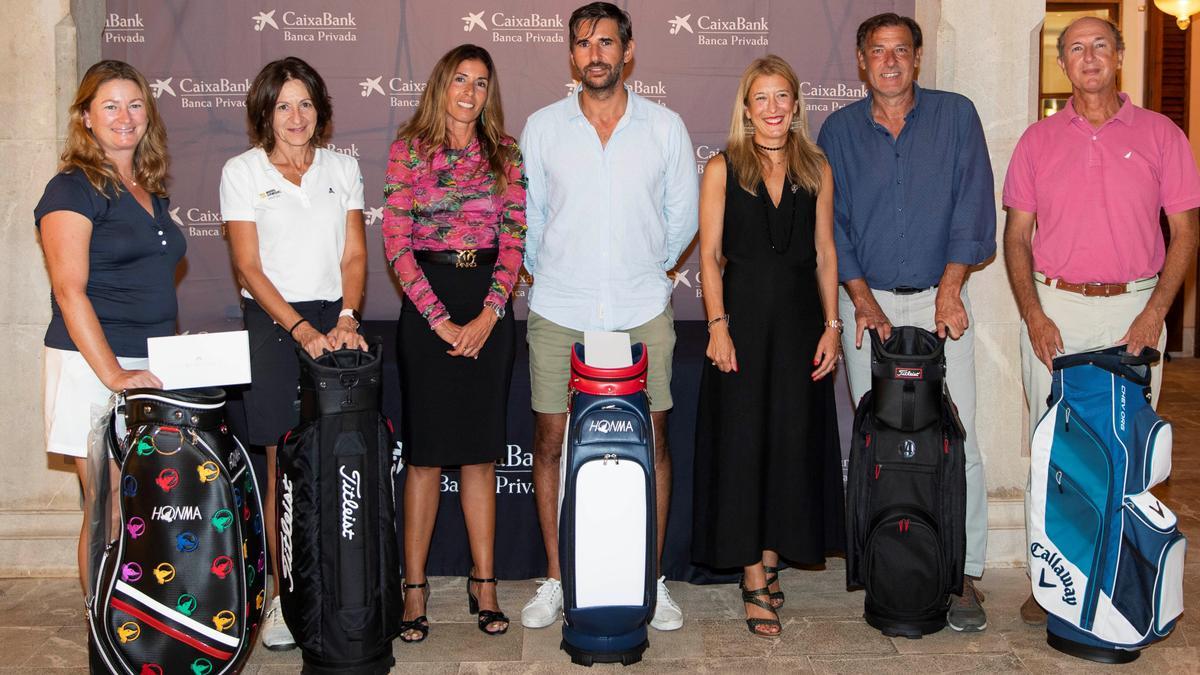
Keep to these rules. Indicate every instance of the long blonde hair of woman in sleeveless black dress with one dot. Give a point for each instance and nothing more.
(806, 162)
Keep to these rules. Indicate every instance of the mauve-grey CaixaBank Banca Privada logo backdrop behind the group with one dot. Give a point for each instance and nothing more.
(201, 57)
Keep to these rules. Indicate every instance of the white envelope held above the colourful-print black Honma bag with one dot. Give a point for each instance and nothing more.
(205, 360)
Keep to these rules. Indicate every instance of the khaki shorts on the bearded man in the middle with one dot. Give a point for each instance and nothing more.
(550, 360)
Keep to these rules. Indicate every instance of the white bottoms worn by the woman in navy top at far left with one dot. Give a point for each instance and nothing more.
(75, 399)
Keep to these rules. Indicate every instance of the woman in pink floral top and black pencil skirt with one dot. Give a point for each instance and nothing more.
(454, 234)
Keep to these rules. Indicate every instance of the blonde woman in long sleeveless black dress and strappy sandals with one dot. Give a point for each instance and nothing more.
(769, 464)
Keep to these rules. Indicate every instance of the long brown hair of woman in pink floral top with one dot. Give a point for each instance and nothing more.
(429, 126)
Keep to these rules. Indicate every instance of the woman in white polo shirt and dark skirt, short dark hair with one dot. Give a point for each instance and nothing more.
(295, 216)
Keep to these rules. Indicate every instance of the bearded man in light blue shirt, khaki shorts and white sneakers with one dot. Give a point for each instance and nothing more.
(611, 204)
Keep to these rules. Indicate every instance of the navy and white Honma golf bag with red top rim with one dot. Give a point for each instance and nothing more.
(607, 528)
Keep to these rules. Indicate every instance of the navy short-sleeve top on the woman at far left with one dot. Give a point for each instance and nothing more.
(131, 264)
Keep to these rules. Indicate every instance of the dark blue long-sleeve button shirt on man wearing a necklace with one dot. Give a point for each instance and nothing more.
(904, 208)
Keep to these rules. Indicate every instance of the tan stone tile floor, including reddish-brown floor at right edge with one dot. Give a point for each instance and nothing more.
(43, 630)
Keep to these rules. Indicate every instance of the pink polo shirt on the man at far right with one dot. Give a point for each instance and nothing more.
(1097, 193)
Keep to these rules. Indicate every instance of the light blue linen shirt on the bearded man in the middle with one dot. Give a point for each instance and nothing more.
(607, 223)
